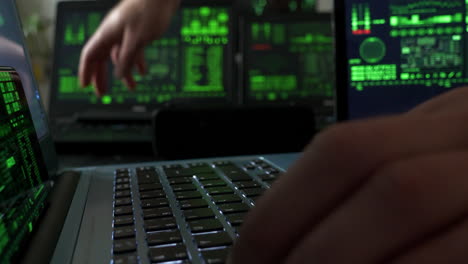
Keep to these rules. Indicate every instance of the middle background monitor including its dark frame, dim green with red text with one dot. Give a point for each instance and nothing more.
(288, 59)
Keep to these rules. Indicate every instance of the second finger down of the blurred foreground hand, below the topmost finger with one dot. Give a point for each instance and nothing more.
(403, 203)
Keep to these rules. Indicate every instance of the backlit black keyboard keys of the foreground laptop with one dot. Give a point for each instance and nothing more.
(184, 213)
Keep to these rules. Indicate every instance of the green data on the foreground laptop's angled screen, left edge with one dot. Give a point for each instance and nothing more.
(22, 191)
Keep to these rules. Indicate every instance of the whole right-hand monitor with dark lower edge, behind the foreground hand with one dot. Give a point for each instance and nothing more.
(395, 54)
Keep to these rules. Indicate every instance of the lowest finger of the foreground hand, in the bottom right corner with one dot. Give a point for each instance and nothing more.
(447, 247)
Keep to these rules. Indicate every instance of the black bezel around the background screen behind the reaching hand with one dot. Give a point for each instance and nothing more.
(65, 109)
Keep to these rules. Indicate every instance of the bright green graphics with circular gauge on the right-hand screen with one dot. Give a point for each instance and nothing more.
(407, 43)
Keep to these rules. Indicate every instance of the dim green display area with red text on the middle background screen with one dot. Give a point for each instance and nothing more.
(289, 61)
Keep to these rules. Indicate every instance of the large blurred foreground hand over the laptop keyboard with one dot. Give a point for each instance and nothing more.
(385, 190)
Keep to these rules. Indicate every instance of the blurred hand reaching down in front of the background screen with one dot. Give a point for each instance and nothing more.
(122, 36)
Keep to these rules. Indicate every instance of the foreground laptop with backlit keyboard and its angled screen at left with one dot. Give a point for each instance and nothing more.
(174, 212)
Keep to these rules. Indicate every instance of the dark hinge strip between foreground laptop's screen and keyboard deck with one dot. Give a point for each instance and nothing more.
(44, 241)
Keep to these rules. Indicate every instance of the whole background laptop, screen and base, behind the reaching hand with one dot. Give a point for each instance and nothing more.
(184, 68)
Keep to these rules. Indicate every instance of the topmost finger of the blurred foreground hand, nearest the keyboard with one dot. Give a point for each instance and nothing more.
(330, 169)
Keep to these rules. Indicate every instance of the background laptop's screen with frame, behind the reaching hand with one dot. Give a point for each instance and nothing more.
(191, 62)
